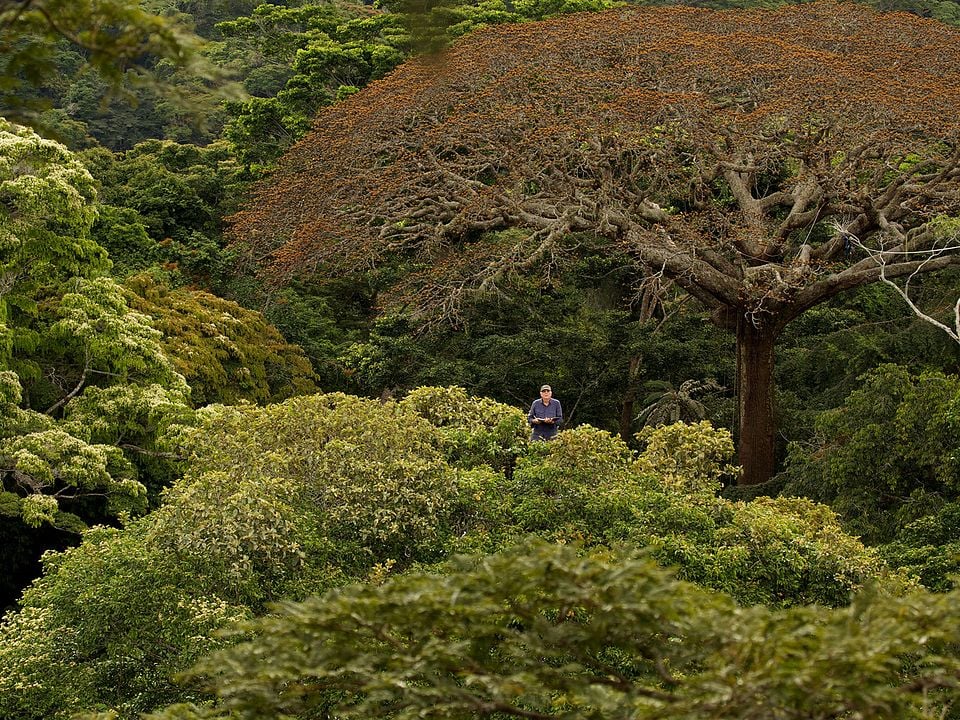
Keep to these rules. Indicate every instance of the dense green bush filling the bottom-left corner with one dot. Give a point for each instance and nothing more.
(113, 642)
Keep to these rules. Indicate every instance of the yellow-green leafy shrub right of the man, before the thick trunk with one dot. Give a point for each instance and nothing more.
(586, 485)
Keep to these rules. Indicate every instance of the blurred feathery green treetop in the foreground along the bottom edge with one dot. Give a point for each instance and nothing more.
(550, 631)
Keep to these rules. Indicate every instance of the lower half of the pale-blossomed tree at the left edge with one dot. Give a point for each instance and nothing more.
(81, 457)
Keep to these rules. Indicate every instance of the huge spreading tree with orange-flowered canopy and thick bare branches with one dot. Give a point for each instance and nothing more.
(744, 154)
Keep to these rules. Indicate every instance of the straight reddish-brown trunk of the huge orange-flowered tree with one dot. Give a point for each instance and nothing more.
(755, 402)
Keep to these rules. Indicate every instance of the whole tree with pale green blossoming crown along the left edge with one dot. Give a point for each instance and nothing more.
(67, 329)
